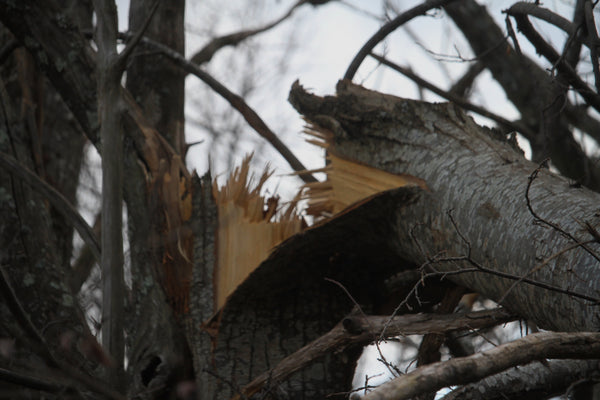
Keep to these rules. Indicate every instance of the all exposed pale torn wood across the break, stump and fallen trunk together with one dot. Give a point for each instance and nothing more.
(250, 225)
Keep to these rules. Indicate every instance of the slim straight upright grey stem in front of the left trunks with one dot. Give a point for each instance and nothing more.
(110, 111)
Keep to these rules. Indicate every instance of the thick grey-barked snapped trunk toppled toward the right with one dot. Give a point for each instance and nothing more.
(474, 173)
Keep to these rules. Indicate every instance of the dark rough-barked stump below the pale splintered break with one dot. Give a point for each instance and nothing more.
(282, 308)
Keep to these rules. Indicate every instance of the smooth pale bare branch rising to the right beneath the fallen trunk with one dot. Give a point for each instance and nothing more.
(538, 346)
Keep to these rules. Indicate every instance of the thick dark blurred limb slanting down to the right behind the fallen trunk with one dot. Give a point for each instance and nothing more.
(539, 97)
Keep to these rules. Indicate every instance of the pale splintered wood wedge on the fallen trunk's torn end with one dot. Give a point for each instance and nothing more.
(348, 182)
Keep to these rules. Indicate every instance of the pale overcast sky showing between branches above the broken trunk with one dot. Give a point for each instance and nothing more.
(324, 41)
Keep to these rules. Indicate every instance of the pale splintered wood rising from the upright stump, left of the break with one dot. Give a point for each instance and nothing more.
(250, 226)
